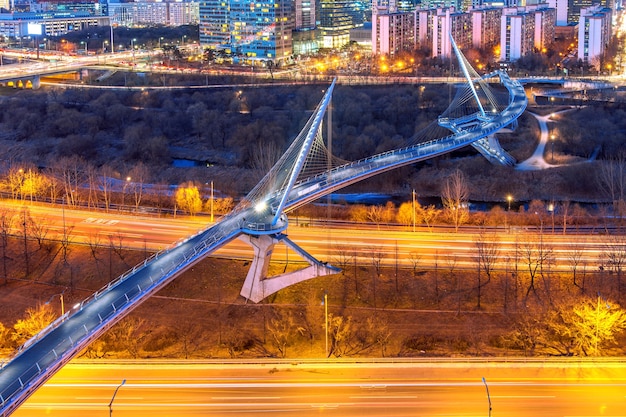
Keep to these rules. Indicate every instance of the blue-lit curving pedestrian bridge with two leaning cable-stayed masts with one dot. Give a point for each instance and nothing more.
(304, 173)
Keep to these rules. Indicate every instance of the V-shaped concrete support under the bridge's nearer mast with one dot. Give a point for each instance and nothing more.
(258, 285)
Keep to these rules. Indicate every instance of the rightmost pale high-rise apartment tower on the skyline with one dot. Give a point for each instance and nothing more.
(594, 33)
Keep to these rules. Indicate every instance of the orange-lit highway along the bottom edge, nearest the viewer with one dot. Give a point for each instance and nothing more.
(423, 389)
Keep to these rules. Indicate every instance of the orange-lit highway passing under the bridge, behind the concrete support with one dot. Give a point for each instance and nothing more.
(440, 247)
